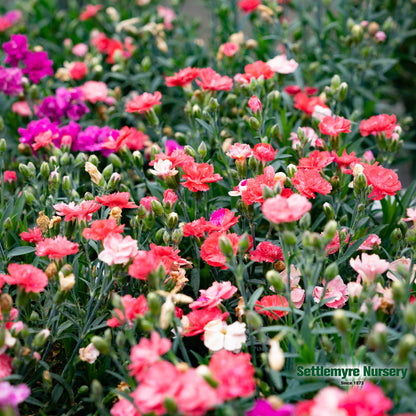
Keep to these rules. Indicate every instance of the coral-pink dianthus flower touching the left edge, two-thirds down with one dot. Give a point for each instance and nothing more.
(26, 276)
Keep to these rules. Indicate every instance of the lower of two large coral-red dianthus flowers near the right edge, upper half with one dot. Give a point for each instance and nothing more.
(384, 181)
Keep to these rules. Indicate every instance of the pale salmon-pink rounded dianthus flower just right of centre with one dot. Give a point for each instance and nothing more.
(279, 209)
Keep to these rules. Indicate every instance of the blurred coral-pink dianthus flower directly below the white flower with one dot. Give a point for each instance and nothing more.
(234, 373)
